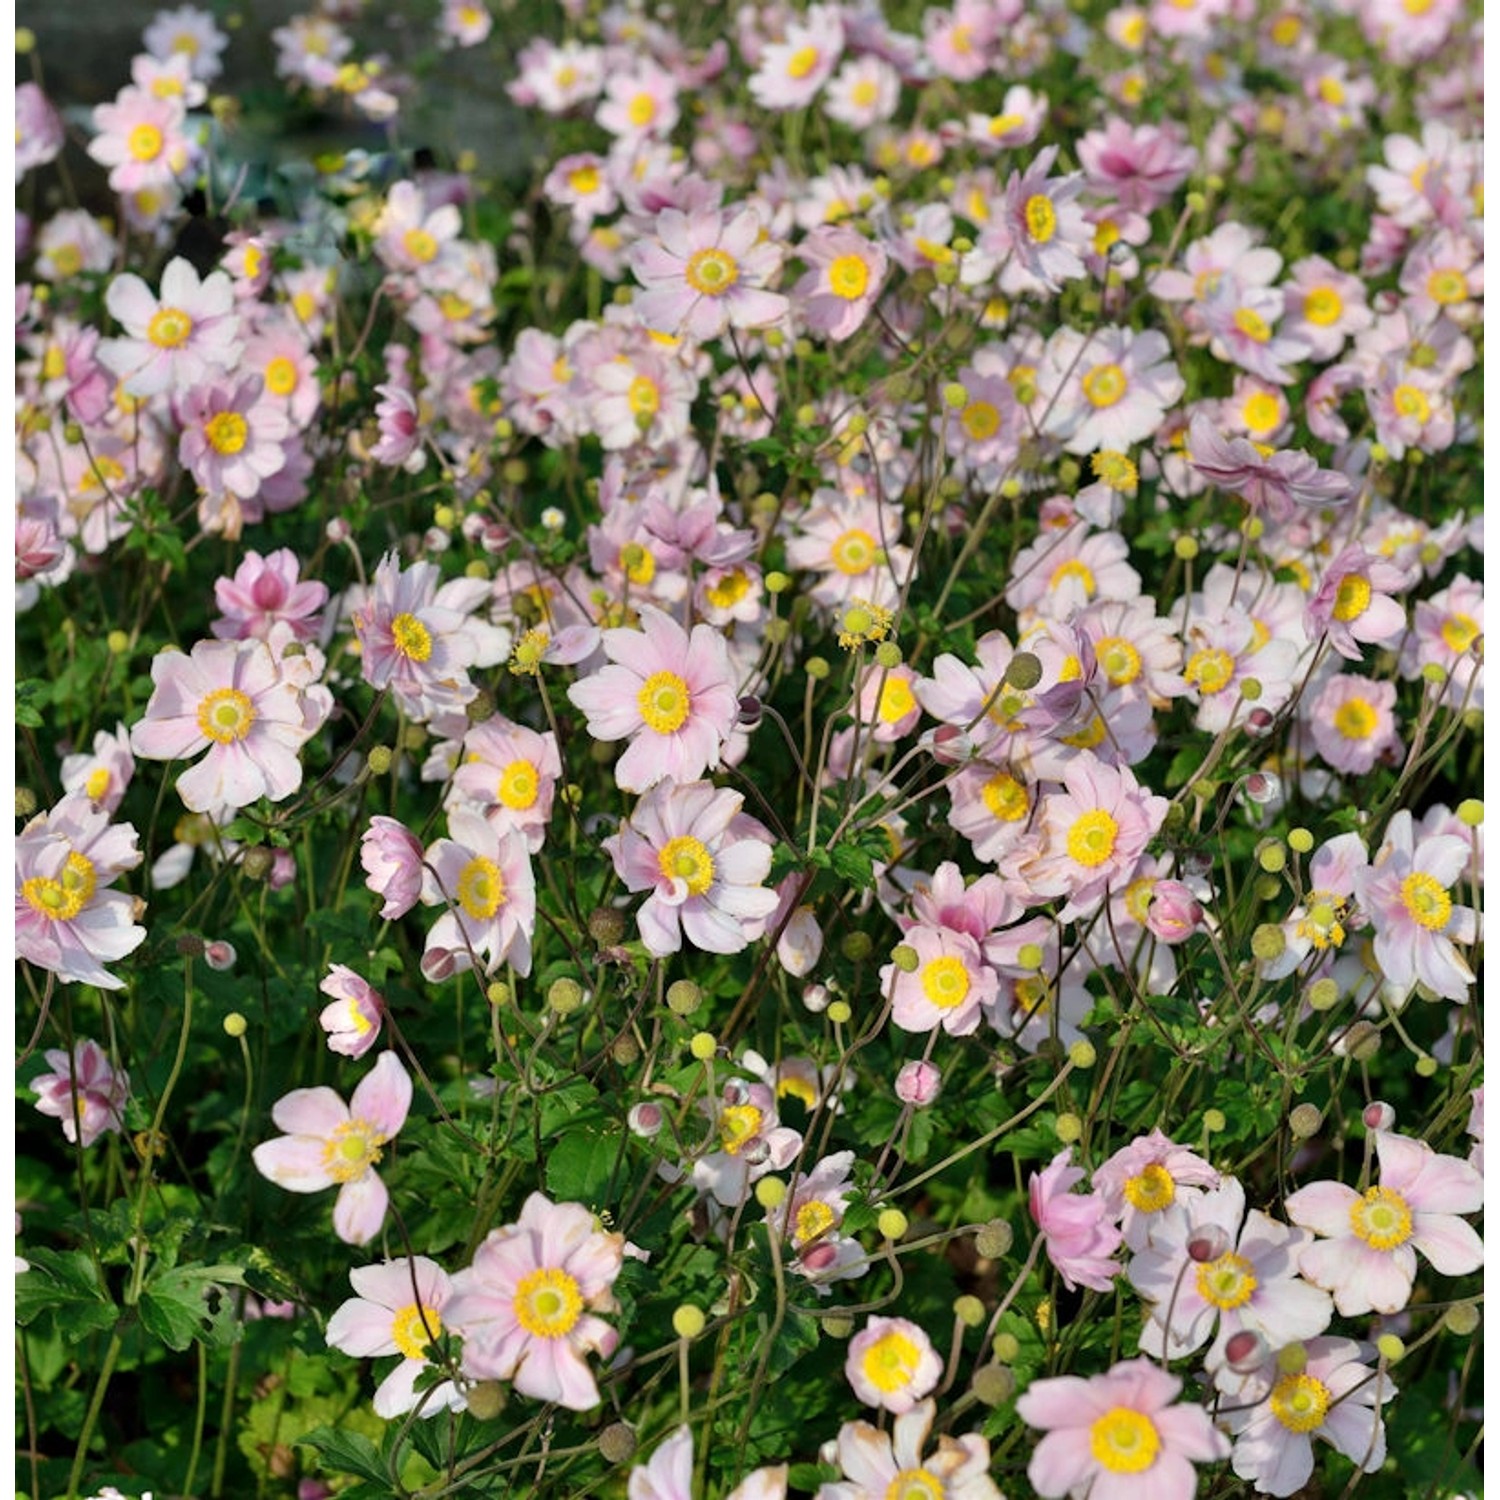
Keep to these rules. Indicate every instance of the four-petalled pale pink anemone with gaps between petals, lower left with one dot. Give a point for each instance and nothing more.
(329, 1142)
